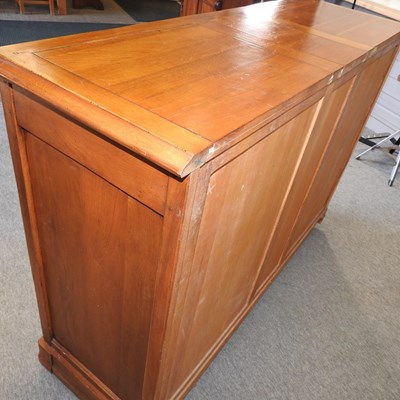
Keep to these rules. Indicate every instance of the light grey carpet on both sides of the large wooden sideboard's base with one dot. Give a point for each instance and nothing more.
(328, 328)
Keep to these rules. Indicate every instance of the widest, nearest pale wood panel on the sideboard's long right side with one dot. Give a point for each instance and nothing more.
(243, 202)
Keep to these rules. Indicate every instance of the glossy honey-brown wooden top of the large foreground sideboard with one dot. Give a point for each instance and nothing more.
(179, 92)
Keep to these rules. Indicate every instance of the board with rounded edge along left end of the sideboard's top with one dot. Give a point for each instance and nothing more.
(145, 138)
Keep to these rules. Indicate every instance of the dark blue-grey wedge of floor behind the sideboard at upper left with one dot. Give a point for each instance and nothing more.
(12, 32)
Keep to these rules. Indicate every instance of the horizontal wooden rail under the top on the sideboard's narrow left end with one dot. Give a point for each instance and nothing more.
(128, 171)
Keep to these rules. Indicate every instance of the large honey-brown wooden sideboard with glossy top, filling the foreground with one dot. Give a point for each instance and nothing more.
(167, 172)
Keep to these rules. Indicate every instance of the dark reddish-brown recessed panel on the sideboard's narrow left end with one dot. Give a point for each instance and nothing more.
(100, 250)
